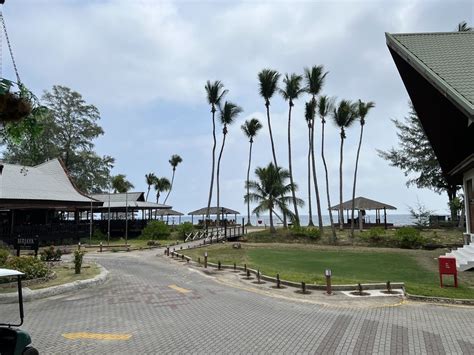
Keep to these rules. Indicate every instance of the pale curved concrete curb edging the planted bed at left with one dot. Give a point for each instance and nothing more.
(31, 295)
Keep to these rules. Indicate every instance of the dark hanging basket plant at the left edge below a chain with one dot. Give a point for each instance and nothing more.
(15, 105)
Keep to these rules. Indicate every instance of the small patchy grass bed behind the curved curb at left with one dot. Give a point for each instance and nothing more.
(64, 274)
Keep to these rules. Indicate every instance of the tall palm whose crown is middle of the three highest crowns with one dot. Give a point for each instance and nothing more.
(290, 93)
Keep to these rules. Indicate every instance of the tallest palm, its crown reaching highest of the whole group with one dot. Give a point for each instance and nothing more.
(314, 83)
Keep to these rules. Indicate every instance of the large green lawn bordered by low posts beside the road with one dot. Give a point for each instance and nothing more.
(349, 265)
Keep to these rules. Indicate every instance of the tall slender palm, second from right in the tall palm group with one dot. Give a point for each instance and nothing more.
(344, 116)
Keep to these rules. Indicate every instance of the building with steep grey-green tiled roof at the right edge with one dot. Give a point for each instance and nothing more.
(438, 72)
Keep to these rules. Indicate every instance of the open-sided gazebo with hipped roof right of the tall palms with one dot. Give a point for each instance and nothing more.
(362, 204)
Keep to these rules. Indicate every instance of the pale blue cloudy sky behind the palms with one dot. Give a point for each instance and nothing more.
(144, 65)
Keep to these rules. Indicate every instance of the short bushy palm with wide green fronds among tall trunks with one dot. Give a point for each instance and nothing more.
(270, 192)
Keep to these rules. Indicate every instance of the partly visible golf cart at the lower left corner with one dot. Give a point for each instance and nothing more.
(14, 341)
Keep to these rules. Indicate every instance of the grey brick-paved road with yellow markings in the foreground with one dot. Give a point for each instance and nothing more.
(197, 314)
